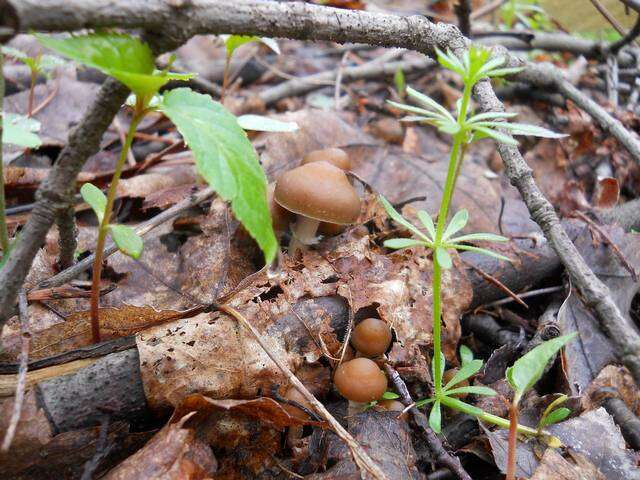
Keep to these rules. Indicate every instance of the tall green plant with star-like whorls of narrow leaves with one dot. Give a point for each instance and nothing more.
(443, 237)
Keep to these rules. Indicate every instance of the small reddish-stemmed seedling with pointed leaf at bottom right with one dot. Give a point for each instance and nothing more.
(522, 376)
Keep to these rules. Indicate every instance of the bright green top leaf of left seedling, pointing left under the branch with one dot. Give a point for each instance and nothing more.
(123, 57)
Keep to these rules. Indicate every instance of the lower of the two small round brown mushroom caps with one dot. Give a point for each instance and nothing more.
(360, 380)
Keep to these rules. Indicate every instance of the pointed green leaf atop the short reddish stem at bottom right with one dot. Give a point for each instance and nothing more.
(528, 369)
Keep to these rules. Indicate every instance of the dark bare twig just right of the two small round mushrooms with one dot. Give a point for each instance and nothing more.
(442, 456)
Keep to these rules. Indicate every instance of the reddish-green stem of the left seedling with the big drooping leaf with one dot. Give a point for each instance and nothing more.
(104, 225)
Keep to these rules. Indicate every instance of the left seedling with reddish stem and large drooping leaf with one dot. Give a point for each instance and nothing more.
(224, 156)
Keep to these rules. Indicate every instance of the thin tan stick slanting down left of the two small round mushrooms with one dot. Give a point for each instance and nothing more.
(361, 458)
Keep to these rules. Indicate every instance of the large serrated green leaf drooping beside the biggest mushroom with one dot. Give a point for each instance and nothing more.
(225, 159)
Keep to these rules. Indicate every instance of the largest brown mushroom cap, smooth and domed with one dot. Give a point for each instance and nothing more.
(320, 191)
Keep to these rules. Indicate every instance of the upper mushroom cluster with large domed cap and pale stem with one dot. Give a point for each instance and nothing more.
(314, 198)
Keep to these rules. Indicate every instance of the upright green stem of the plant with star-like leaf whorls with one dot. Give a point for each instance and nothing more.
(455, 160)
